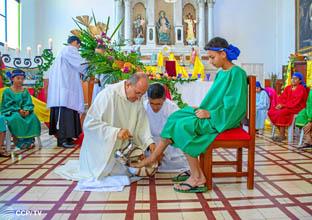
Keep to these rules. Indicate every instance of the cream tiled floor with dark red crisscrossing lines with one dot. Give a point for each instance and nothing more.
(283, 175)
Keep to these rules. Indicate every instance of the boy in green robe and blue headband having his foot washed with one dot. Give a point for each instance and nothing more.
(193, 129)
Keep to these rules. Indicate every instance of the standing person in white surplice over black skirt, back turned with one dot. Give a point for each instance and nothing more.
(65, 93)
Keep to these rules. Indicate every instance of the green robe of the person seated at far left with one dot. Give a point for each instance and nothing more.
(20, 127)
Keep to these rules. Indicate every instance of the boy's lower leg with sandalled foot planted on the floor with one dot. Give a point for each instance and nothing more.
(197, 177)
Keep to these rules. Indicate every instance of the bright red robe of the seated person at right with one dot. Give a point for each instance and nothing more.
(293, 101)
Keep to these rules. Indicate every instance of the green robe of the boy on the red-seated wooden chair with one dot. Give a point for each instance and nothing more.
(227, 103)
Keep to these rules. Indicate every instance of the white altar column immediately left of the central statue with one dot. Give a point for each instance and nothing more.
(151, 30)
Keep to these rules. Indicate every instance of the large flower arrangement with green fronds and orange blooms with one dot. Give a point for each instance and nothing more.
(110, 59)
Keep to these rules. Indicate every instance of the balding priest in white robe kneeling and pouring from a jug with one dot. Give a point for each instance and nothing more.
(116, 114)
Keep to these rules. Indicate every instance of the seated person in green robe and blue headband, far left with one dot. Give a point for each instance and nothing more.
(17, 107)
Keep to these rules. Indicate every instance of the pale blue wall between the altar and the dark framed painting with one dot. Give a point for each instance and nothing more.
(263, 30)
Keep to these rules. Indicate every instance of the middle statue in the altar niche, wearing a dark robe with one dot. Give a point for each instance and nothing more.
(163, 27)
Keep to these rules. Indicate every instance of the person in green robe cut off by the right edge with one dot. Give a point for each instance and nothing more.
(304, 121)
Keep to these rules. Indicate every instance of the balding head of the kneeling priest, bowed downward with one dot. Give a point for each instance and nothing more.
(136, 86)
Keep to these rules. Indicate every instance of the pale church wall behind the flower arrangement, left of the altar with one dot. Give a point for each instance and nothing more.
(54, 18)
